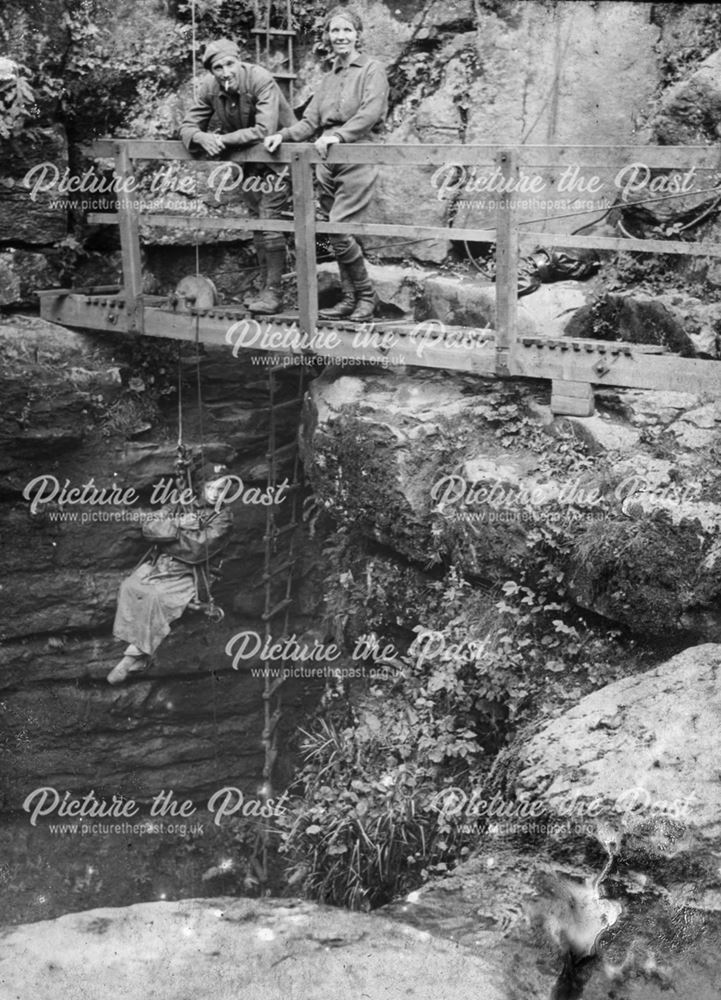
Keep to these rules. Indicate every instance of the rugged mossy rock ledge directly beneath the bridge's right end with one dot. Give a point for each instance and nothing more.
(446, 467)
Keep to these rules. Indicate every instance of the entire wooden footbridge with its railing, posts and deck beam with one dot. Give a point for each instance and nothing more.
(573, 365)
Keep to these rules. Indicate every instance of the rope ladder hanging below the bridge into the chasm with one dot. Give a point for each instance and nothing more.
(279, 550)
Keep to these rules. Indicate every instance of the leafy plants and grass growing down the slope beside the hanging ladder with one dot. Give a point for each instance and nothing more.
(457, 669)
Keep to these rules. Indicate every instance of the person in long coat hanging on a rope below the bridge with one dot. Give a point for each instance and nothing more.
(187, 539)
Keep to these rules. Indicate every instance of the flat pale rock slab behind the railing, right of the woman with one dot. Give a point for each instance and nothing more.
(587, 70)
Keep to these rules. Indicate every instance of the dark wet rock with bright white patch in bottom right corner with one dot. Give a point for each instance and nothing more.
(650, 933)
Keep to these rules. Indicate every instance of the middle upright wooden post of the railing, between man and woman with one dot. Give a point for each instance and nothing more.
(304, 226)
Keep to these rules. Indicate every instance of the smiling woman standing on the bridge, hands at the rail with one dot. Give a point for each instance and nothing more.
(349, 106)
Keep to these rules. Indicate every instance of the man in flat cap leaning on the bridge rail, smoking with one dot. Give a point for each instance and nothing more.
(247, 105)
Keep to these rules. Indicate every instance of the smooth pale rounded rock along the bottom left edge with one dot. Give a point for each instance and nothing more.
(227, 947)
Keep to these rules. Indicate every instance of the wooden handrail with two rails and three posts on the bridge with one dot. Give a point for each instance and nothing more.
(507, 161)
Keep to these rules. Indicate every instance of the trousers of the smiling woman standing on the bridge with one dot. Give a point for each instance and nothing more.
(346, 191)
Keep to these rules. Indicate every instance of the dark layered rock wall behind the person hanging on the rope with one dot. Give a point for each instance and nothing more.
(76, 410)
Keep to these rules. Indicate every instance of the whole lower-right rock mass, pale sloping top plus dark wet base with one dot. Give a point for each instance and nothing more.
(598, 857)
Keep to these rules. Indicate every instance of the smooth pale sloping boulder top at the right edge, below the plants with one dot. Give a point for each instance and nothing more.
(643, 750)
